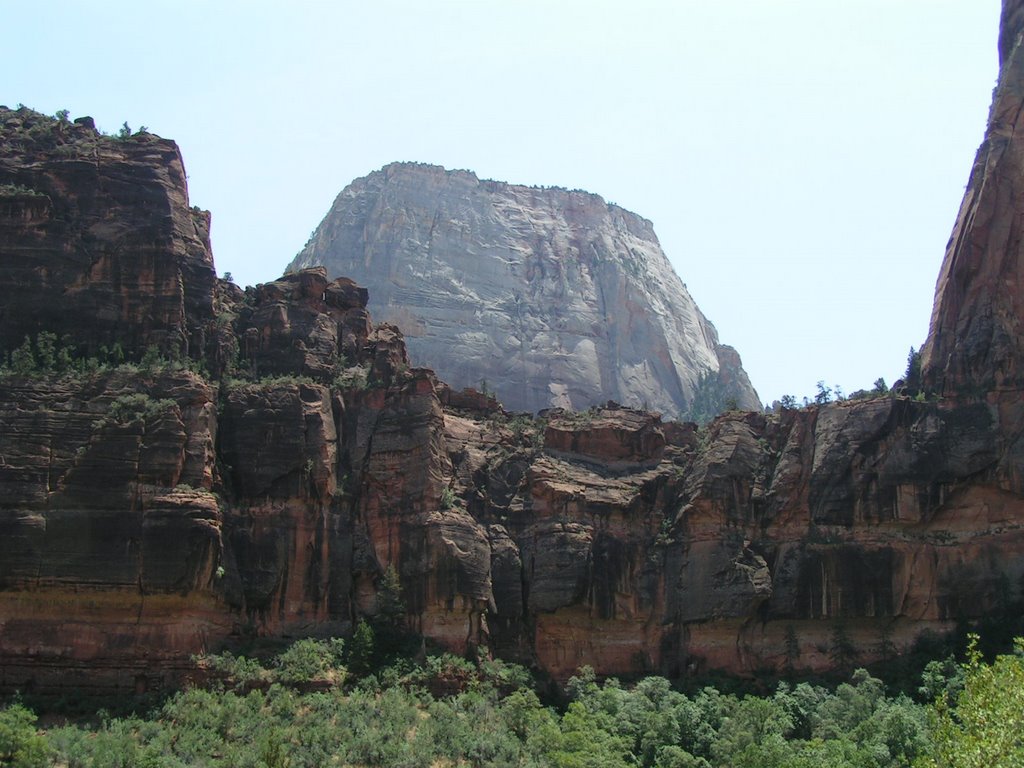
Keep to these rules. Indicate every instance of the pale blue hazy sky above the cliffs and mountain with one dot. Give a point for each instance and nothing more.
(802, 161)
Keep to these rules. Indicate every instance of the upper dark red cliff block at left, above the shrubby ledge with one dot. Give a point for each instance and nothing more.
(97, 229)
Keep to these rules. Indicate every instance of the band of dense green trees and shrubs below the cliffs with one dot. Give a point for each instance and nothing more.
(307, 708)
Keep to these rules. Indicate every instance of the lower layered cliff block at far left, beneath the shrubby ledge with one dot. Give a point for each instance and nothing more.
(111, 537)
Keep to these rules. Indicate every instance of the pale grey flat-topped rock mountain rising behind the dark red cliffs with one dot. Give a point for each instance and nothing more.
(548, 297)
